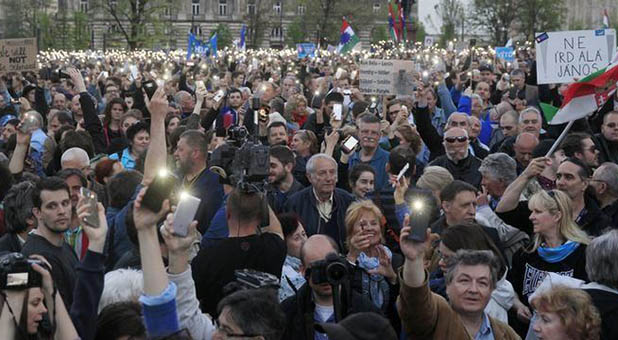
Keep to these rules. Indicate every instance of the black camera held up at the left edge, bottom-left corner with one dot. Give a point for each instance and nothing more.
(16, 272)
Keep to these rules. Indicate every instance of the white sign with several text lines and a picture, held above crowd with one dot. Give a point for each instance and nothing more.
(386, 77)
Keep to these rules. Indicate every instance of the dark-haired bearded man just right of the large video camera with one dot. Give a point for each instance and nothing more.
(282, 182)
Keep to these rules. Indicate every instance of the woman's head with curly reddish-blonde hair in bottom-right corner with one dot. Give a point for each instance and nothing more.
(566, 314)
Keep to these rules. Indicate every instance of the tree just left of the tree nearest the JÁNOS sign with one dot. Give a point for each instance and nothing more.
(495, 17)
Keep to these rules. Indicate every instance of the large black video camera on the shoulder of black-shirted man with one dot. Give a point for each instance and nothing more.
(243, 163)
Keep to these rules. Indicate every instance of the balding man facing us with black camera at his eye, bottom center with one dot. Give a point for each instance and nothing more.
(313, 303)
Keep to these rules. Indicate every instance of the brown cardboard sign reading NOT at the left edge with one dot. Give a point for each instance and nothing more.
(17, 55)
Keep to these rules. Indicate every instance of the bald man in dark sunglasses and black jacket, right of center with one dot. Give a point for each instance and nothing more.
(458, 160)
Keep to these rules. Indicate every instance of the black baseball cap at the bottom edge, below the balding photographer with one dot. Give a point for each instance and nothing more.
(359, 326)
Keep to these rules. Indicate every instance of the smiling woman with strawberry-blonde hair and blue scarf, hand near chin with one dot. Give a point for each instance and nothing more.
(374, 273)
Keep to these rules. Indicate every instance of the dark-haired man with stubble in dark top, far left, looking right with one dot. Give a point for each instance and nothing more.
(52, 208)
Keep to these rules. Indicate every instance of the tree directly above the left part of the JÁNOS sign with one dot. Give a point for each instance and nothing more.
(540, 16)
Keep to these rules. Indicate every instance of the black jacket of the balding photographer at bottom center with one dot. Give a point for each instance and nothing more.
(299, 311)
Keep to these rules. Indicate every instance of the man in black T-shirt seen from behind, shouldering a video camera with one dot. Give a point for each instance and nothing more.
(247, 247)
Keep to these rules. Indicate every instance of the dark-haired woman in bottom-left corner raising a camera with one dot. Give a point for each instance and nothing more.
(22, 309)
